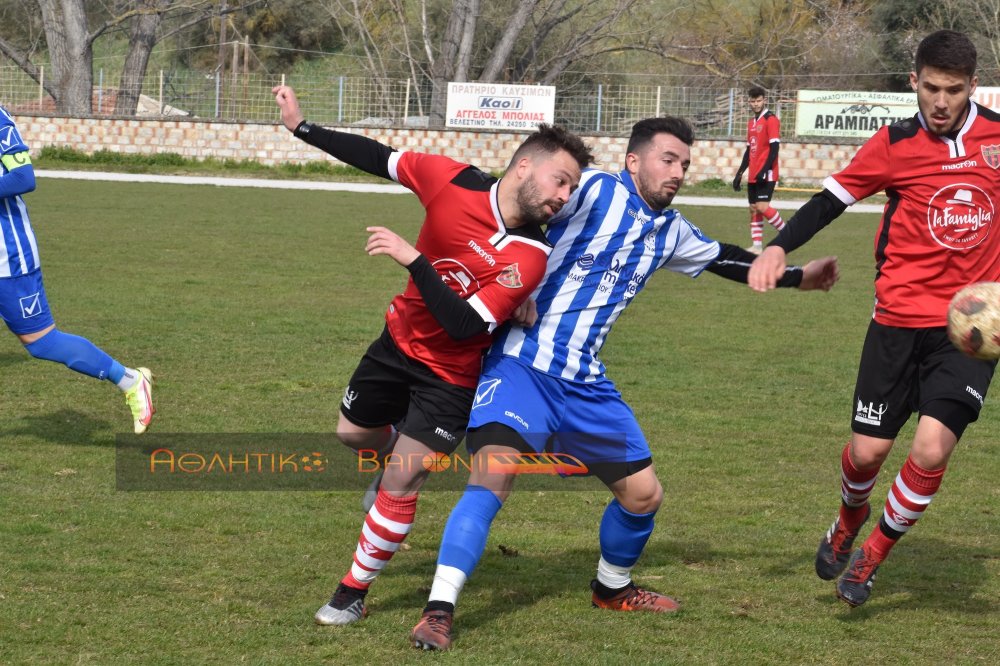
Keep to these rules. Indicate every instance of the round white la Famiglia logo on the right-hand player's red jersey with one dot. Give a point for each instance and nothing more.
(960, 216)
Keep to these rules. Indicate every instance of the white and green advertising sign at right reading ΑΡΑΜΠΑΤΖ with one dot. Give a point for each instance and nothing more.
(846, 113)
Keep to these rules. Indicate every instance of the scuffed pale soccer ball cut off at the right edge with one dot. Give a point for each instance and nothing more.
(974, 320)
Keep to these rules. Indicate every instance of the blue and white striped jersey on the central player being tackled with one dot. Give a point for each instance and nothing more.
(607, 242)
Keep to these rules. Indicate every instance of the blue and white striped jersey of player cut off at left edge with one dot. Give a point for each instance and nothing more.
(21, 252)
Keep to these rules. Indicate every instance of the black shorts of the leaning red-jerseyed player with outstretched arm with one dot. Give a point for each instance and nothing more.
(390, 388)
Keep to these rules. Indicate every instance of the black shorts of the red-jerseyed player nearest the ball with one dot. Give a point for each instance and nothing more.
(904, 369)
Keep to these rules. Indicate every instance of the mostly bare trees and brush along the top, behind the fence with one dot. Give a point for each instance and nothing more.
(856, 44)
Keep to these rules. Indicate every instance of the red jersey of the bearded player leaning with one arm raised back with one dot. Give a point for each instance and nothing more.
(465, 239)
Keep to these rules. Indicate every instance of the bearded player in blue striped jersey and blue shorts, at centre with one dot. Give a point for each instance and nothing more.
(543, 387)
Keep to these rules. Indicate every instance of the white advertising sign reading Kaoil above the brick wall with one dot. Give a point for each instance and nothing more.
(499, 106)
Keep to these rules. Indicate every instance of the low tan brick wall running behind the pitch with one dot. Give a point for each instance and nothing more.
(801, 163)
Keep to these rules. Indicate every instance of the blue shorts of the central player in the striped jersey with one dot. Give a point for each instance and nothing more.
(589, 421)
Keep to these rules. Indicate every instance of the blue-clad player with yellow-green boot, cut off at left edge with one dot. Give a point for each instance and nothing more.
(23, 304)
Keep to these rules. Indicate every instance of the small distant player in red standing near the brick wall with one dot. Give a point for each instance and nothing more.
(761, 157)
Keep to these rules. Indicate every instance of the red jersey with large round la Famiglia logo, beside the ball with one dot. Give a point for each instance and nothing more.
(936, 234)
